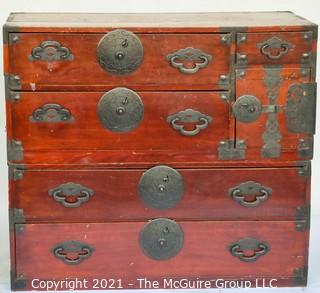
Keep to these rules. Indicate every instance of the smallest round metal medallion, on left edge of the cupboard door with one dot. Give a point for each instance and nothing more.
(247, 108)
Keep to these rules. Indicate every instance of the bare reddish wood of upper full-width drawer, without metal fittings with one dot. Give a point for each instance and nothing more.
(116, 196)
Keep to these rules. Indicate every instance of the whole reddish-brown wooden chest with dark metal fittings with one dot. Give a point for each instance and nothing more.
(159, 150)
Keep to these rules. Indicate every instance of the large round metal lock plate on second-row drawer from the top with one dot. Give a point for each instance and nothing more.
(120, 110)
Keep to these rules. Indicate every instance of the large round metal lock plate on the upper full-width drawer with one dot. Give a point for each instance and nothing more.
(161, 187)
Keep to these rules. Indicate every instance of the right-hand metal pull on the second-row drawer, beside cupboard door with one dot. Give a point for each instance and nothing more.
(198, 120)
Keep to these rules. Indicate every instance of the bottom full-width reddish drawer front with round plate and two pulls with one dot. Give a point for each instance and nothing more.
(209, 250)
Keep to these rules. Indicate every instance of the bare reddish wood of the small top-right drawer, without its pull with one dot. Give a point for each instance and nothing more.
(251, 48)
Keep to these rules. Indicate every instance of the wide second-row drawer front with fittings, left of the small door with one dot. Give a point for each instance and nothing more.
(188, 122)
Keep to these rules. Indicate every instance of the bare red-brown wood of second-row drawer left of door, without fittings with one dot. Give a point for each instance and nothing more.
(86, 132)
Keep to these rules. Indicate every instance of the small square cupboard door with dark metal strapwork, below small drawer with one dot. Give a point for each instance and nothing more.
(282, 119)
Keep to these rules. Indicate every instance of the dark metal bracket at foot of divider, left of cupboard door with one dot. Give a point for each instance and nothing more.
(232, 150)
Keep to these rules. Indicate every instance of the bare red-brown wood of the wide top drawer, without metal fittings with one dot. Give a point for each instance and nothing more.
(84, 71)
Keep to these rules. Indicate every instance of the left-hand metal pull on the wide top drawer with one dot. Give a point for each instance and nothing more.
(50, 51)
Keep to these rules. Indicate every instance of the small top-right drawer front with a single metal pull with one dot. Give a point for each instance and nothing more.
(270, 48)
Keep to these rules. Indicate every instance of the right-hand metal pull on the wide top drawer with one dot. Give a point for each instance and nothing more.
(195, 58)
